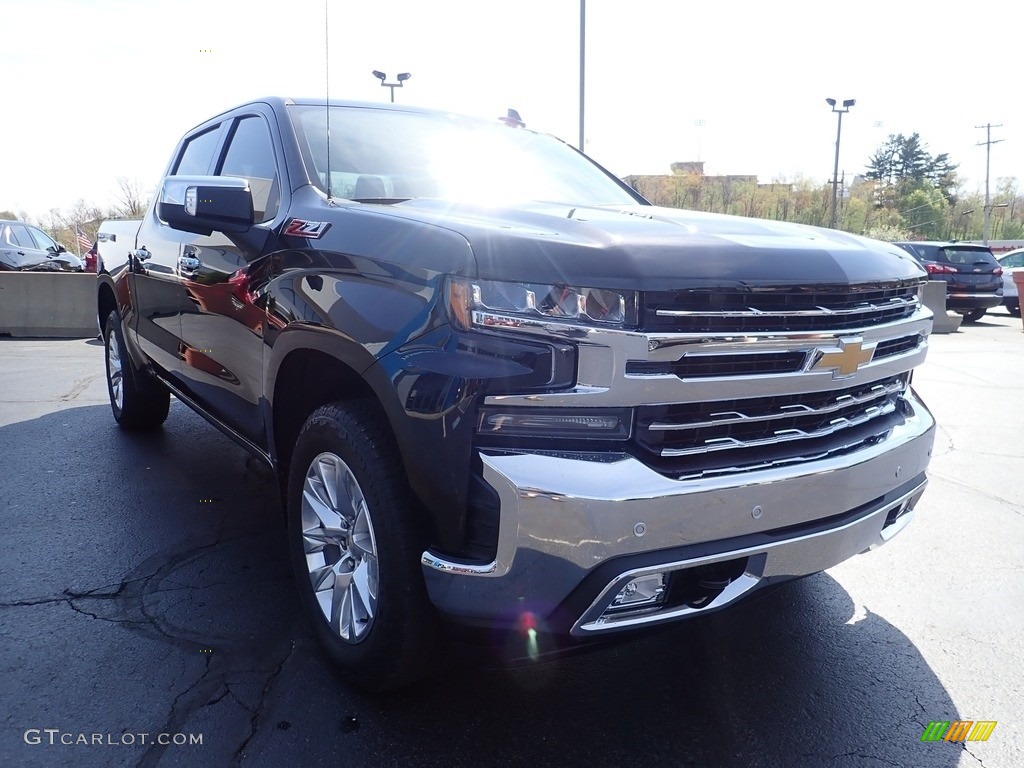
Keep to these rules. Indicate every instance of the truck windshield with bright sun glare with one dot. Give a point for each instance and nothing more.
(389, 155)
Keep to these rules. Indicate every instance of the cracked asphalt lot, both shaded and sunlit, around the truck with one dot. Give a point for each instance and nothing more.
(146, 590)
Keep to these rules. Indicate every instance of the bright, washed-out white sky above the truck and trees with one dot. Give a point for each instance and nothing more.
(98, 90)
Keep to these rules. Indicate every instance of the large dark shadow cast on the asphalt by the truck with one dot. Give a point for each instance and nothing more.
(185, 548)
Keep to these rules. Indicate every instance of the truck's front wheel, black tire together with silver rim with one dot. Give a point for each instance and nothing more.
(397, 643)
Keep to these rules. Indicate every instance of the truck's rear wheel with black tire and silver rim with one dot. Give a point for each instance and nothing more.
(143, 402)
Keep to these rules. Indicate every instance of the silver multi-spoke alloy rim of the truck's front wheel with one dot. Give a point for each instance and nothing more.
(340, 547)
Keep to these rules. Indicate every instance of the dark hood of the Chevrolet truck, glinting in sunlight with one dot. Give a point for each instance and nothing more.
(651, 248)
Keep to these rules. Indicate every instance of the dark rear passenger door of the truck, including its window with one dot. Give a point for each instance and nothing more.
(156, 275)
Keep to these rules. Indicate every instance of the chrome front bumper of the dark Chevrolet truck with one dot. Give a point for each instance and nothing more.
(564, 517)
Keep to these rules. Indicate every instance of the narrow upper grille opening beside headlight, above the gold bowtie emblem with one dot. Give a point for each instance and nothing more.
(790, 309)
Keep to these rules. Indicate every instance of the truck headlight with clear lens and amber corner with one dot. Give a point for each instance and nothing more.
(491, 304)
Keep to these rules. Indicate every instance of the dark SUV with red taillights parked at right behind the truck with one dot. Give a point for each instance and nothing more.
(971, 272)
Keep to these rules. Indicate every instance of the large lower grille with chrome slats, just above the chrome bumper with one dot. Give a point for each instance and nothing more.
(698, 438)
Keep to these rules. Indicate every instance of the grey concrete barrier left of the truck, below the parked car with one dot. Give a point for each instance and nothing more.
(54, 305)
